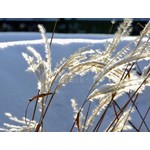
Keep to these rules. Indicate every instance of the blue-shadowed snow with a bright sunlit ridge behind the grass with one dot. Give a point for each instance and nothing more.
(17, 85)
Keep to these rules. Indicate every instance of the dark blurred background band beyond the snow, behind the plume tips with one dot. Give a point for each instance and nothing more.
(69, 25)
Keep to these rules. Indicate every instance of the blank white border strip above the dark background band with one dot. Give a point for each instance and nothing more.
(74, 9)
